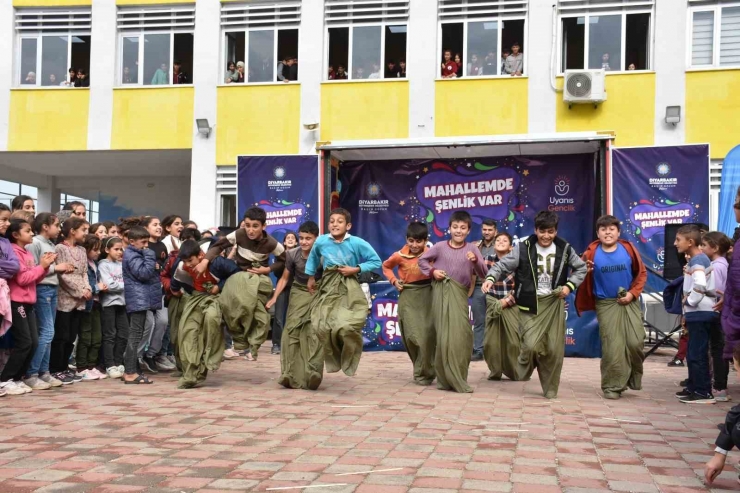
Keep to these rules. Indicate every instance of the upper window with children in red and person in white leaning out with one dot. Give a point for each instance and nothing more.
(483, 37)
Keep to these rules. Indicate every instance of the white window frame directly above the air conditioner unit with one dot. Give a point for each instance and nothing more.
(623, 41)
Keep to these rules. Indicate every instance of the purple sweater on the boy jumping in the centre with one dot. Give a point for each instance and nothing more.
(454, 262)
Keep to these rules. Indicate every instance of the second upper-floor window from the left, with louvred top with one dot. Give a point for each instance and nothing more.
(156, 45)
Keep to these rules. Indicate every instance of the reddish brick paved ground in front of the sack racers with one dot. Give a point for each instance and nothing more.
(243, 432)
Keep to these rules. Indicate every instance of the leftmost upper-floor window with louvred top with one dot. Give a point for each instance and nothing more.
(51, 42)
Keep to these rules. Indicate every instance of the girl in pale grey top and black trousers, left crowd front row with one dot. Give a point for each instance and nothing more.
(113, 301)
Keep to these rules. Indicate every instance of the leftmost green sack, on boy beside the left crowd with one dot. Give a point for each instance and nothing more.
(201, 339)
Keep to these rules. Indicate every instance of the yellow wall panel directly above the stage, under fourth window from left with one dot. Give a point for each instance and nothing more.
(364, 110)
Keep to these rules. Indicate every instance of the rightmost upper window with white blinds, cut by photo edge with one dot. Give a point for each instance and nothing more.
(715, 35)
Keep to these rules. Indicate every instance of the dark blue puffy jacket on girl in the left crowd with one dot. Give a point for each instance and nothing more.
(141, 284)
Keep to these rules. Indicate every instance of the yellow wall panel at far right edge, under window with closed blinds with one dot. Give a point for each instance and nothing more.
(712, 109)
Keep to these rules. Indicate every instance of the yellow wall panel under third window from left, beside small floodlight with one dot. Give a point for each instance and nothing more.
(257, 119)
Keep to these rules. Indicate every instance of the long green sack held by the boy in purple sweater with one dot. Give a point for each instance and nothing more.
(454, 335)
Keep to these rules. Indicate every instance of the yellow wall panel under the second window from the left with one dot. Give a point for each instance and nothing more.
(159, 118)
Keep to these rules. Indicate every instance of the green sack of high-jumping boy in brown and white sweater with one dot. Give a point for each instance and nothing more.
(243, 306)
